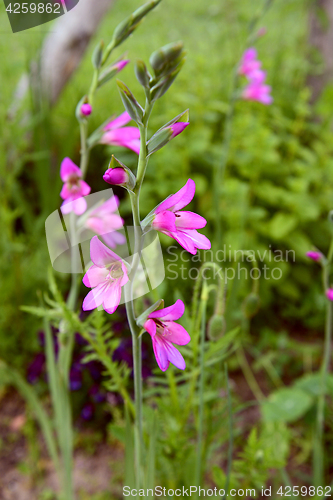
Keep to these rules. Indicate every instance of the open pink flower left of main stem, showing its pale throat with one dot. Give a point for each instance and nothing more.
(106, 277)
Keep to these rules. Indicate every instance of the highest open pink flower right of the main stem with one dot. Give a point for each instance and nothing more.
(181, 226)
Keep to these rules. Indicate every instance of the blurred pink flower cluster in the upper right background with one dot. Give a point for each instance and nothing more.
(256, 89)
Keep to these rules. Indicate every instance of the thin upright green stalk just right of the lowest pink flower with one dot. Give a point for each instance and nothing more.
(199, 468)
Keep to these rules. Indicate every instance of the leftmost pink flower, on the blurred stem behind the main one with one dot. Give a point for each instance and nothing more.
(74, 188)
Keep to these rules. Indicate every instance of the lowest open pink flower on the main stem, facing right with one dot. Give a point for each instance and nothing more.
(164, 331)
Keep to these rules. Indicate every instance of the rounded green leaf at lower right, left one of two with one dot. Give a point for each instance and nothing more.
(286, 405)
